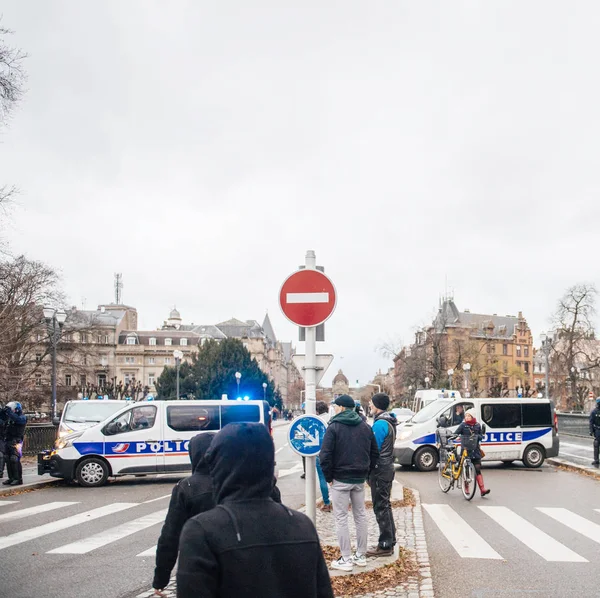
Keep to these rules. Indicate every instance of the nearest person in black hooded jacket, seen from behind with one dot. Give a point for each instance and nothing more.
(248, 545)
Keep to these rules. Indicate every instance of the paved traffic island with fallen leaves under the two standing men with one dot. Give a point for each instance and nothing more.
(411, 537)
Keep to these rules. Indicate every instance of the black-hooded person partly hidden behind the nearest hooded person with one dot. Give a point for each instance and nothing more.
(190, 497)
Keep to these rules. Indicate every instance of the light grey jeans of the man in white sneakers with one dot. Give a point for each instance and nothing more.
(343, 494)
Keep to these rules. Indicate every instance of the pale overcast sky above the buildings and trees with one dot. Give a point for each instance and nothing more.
(200, 148)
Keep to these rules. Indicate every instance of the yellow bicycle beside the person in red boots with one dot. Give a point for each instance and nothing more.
(455, 467)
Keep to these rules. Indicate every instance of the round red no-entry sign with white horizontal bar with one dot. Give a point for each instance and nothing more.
(307, 298)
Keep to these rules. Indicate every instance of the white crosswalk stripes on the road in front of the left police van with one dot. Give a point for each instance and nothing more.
(65, 520)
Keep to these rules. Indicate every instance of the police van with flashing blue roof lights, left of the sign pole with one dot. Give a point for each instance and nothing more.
(144, 438)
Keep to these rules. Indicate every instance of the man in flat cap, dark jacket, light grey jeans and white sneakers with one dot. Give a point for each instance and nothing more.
(348, 454)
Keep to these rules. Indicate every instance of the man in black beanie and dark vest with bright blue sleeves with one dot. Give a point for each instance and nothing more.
(382, 476)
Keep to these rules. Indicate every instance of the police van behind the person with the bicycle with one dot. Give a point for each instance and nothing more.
(516, 430)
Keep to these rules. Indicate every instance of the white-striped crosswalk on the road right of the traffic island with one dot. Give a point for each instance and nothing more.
(470, 544)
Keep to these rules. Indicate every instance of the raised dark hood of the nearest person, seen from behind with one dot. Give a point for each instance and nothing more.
(241, 459)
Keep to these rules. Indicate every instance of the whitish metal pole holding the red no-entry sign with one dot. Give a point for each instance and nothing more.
(310, 379)
